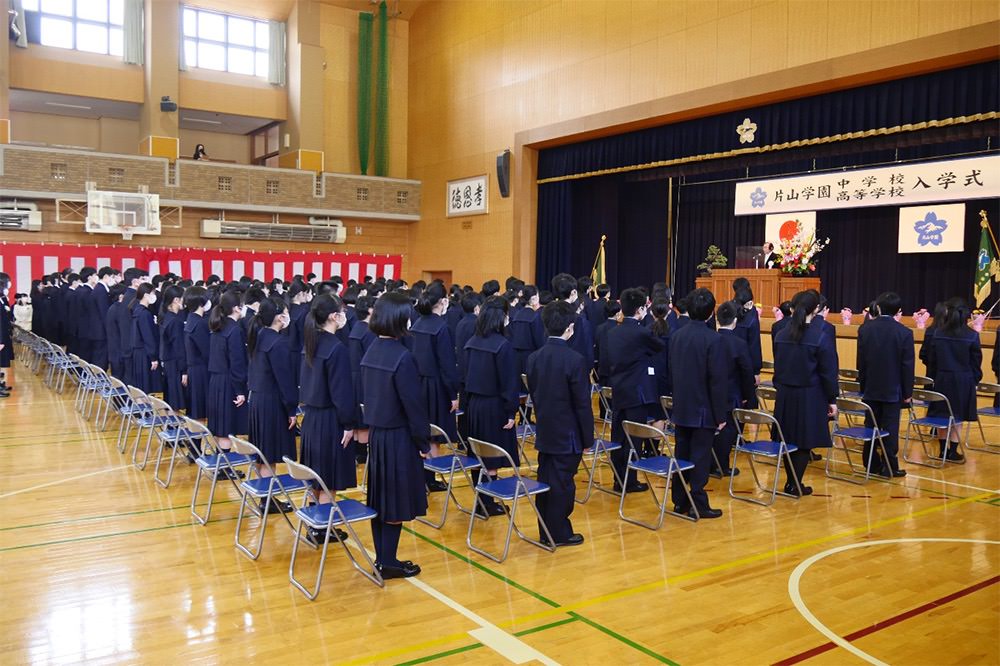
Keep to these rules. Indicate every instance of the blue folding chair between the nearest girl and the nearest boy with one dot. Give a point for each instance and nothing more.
(508, 490)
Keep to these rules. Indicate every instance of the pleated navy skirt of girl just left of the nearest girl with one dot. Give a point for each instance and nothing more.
(321, 449)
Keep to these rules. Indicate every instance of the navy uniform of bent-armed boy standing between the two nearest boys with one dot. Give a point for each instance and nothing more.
(631, 351)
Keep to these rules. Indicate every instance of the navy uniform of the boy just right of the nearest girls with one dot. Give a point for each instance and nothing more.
(559, 382)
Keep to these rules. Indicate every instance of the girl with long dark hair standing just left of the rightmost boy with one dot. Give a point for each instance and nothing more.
(805, 376)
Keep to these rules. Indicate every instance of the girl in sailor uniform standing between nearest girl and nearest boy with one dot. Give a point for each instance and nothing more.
(491, 384)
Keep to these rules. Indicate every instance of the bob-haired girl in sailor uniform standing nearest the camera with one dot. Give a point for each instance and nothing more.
(399, 429)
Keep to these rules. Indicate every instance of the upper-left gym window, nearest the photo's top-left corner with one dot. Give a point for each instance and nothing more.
(94, 26)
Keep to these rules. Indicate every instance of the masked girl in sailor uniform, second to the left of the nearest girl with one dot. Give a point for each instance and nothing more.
(274, 398)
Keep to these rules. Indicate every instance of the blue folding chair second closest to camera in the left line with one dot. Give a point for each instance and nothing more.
(266, 490)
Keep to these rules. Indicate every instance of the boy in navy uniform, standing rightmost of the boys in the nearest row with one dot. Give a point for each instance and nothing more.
(885, 371)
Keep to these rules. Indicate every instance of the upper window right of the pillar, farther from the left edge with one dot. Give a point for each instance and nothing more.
(225, 43)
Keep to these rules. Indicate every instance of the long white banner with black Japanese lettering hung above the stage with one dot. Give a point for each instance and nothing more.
(900, 185)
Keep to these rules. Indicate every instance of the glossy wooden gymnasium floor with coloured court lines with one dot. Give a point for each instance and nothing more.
(100, 565)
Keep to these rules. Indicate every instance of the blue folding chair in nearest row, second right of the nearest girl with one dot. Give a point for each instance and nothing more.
(661, 466)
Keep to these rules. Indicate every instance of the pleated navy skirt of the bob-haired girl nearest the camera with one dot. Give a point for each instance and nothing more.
(395, 475)
